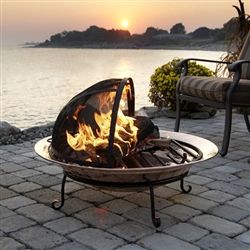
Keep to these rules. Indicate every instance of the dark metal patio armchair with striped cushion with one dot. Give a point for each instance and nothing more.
(221, 93)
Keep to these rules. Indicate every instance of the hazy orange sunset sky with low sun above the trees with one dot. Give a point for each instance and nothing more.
(36, 20)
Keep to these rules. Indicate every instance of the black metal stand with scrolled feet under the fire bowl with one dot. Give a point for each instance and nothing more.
(56, 204)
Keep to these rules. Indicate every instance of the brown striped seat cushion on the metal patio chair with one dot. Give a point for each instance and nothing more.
(214, 89)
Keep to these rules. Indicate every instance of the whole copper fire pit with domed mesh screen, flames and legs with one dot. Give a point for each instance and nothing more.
(98, 140)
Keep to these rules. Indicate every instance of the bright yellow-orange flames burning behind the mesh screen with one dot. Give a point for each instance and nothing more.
(94, 140)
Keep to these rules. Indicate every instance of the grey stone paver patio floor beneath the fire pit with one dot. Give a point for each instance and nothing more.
(215, 215)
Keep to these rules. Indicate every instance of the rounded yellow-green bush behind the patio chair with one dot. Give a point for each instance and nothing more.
(163, 82)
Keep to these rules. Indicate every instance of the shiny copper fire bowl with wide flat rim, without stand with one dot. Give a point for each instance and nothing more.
(132, 175)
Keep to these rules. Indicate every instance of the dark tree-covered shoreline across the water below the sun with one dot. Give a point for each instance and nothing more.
(153, 38)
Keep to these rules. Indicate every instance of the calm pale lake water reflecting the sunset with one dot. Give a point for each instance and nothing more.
(37, 83)
